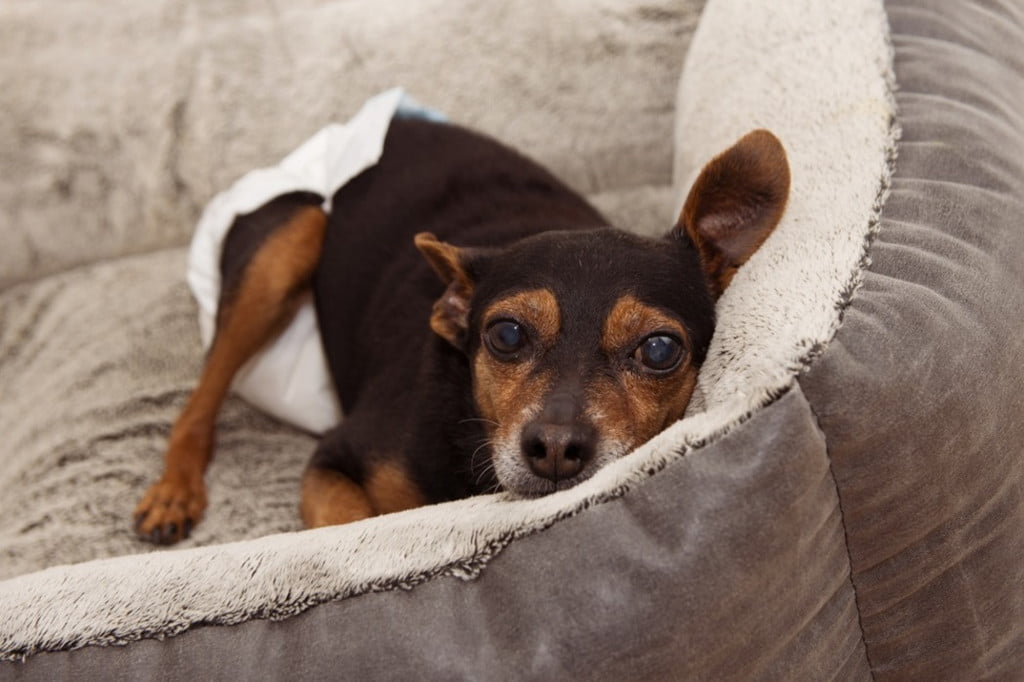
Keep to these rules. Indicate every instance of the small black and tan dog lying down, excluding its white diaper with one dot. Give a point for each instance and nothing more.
(542, 348)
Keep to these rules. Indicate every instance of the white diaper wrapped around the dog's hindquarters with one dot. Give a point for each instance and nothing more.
(289, 378)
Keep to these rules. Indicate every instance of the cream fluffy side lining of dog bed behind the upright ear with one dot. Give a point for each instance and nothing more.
(824, 84)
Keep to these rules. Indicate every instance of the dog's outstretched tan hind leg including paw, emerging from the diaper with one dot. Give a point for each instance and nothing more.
(254, 310)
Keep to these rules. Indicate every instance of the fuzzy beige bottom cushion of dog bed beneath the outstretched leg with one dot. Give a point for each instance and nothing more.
(96, 365)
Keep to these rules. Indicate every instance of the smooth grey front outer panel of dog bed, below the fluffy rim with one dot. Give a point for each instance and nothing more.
(729, 565)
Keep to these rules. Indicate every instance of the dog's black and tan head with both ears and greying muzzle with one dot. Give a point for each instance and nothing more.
(584, 345)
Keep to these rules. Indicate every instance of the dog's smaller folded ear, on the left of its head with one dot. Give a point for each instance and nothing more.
(451, 316)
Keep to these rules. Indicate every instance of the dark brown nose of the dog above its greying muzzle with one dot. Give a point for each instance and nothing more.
(558, 452)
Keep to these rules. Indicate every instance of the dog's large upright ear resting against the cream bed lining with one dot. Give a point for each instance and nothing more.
(735, 205)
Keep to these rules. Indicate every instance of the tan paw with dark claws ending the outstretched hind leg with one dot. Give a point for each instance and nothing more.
(169, 510)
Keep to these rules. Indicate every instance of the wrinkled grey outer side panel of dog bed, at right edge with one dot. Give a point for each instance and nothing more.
(920, 395)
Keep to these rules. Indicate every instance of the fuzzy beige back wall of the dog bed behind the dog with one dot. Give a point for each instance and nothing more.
(119, 122)
